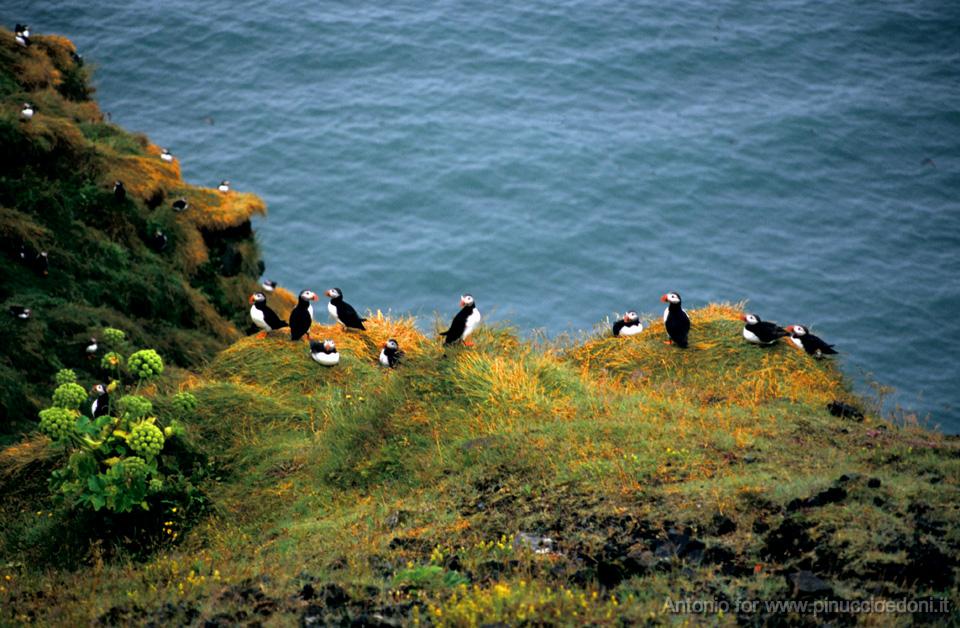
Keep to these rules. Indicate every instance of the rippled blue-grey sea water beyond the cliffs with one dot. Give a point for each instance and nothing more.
(566, 160)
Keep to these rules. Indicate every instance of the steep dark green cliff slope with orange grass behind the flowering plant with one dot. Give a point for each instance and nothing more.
(57, 172)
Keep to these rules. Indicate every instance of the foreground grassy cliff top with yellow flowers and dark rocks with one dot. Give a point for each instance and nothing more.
(520, 482)
